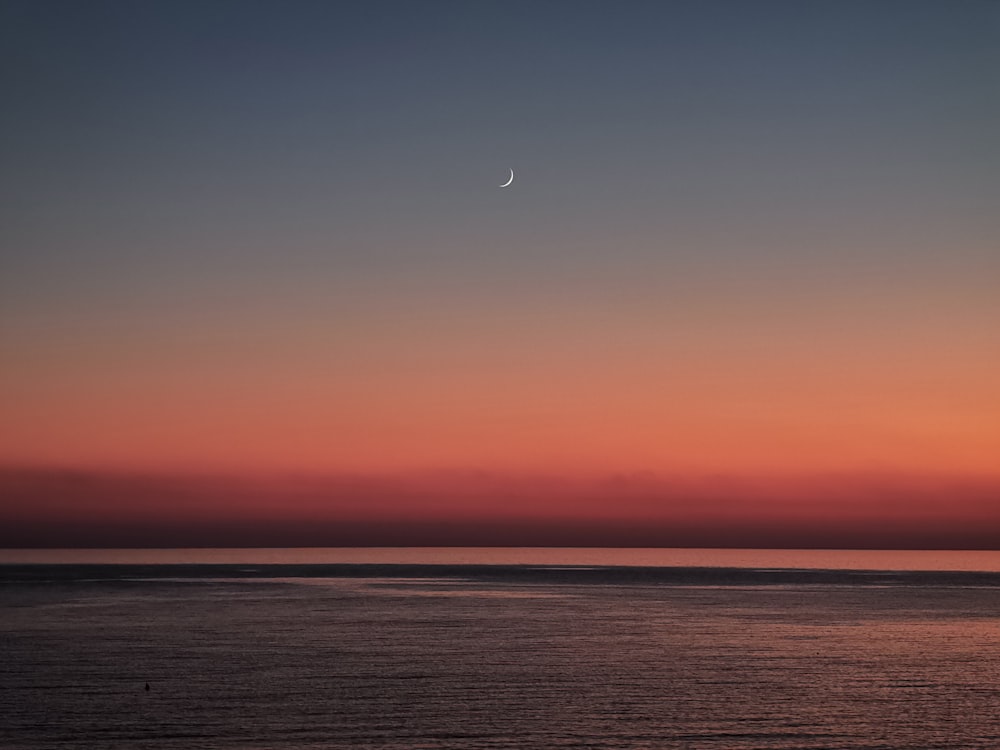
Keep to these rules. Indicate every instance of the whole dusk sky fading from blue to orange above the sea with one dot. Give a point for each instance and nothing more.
(750, 240)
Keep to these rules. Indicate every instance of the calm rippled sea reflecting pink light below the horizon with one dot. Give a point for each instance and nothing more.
(477, 649)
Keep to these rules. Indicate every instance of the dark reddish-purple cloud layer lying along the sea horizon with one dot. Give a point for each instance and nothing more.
(50, 508)
